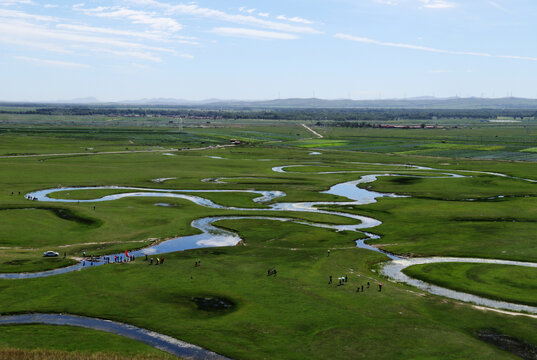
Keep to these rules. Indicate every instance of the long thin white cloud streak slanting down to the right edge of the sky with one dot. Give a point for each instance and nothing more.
(365, 40)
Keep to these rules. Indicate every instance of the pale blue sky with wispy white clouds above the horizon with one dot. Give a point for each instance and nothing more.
(255, 50)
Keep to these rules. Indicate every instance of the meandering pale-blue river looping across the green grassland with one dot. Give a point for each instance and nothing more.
(214, 236)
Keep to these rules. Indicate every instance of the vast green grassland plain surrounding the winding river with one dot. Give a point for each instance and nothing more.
(293, 315)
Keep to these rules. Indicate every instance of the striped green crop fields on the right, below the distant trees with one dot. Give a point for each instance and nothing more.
(505, 142)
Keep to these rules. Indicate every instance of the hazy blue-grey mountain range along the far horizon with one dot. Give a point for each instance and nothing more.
(314, 103)
